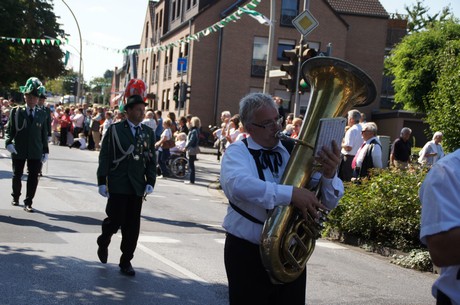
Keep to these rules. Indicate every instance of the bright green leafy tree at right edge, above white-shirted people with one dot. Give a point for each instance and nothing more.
(425, 79)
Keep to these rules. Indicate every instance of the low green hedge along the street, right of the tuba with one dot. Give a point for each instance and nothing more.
(383, 210)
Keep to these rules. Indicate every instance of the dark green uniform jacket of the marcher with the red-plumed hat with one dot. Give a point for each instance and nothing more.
(124, 172)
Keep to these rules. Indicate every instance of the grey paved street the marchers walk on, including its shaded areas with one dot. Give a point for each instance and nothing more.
(49, 257)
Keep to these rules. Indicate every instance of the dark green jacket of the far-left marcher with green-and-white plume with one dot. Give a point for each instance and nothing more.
(29, 138)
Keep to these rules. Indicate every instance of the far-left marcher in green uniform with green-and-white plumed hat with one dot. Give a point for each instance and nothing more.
(27, 140)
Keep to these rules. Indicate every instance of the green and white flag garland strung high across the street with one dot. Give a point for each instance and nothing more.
(247, 9)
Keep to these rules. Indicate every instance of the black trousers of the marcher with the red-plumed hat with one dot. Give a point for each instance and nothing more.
(123, 211)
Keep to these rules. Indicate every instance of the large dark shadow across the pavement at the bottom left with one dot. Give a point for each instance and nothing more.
(27, 278)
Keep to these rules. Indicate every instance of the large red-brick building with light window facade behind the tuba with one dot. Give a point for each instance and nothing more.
(229, 62)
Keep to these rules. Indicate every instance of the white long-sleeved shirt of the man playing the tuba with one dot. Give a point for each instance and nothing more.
(241, 184)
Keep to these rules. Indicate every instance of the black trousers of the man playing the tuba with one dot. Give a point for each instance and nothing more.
(248, 281)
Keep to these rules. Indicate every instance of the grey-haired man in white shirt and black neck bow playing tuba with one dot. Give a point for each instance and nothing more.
(250, 177)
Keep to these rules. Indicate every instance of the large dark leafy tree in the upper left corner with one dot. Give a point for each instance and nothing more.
(18, 62)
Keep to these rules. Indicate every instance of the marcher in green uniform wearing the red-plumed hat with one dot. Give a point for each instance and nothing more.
(126, 174)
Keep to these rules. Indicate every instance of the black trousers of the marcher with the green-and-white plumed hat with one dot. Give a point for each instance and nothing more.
(34, 167)
